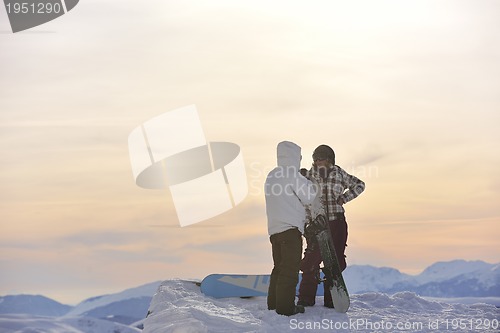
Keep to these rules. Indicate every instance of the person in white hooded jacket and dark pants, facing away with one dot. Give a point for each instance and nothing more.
(287, 191)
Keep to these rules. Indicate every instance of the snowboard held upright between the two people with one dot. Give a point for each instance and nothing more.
(332, 272)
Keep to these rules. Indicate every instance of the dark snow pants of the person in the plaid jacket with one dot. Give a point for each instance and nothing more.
(312, 259)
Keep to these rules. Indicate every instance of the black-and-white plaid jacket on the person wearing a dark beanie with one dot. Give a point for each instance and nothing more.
(338, 184)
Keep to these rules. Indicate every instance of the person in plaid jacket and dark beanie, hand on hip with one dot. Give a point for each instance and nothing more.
(338, 187)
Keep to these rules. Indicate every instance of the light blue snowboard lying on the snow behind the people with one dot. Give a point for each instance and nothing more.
(238, 285)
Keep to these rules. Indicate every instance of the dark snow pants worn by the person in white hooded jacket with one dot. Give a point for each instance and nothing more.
(287, 251)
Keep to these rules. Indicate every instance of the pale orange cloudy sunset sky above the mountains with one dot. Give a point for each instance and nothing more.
(405, 92)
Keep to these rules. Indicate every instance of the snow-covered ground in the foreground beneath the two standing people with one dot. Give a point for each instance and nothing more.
(180, 307)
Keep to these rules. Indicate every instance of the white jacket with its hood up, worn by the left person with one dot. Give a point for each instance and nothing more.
(287, 191)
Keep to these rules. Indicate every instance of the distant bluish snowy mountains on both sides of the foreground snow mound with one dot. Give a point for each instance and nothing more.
(452, 279)
